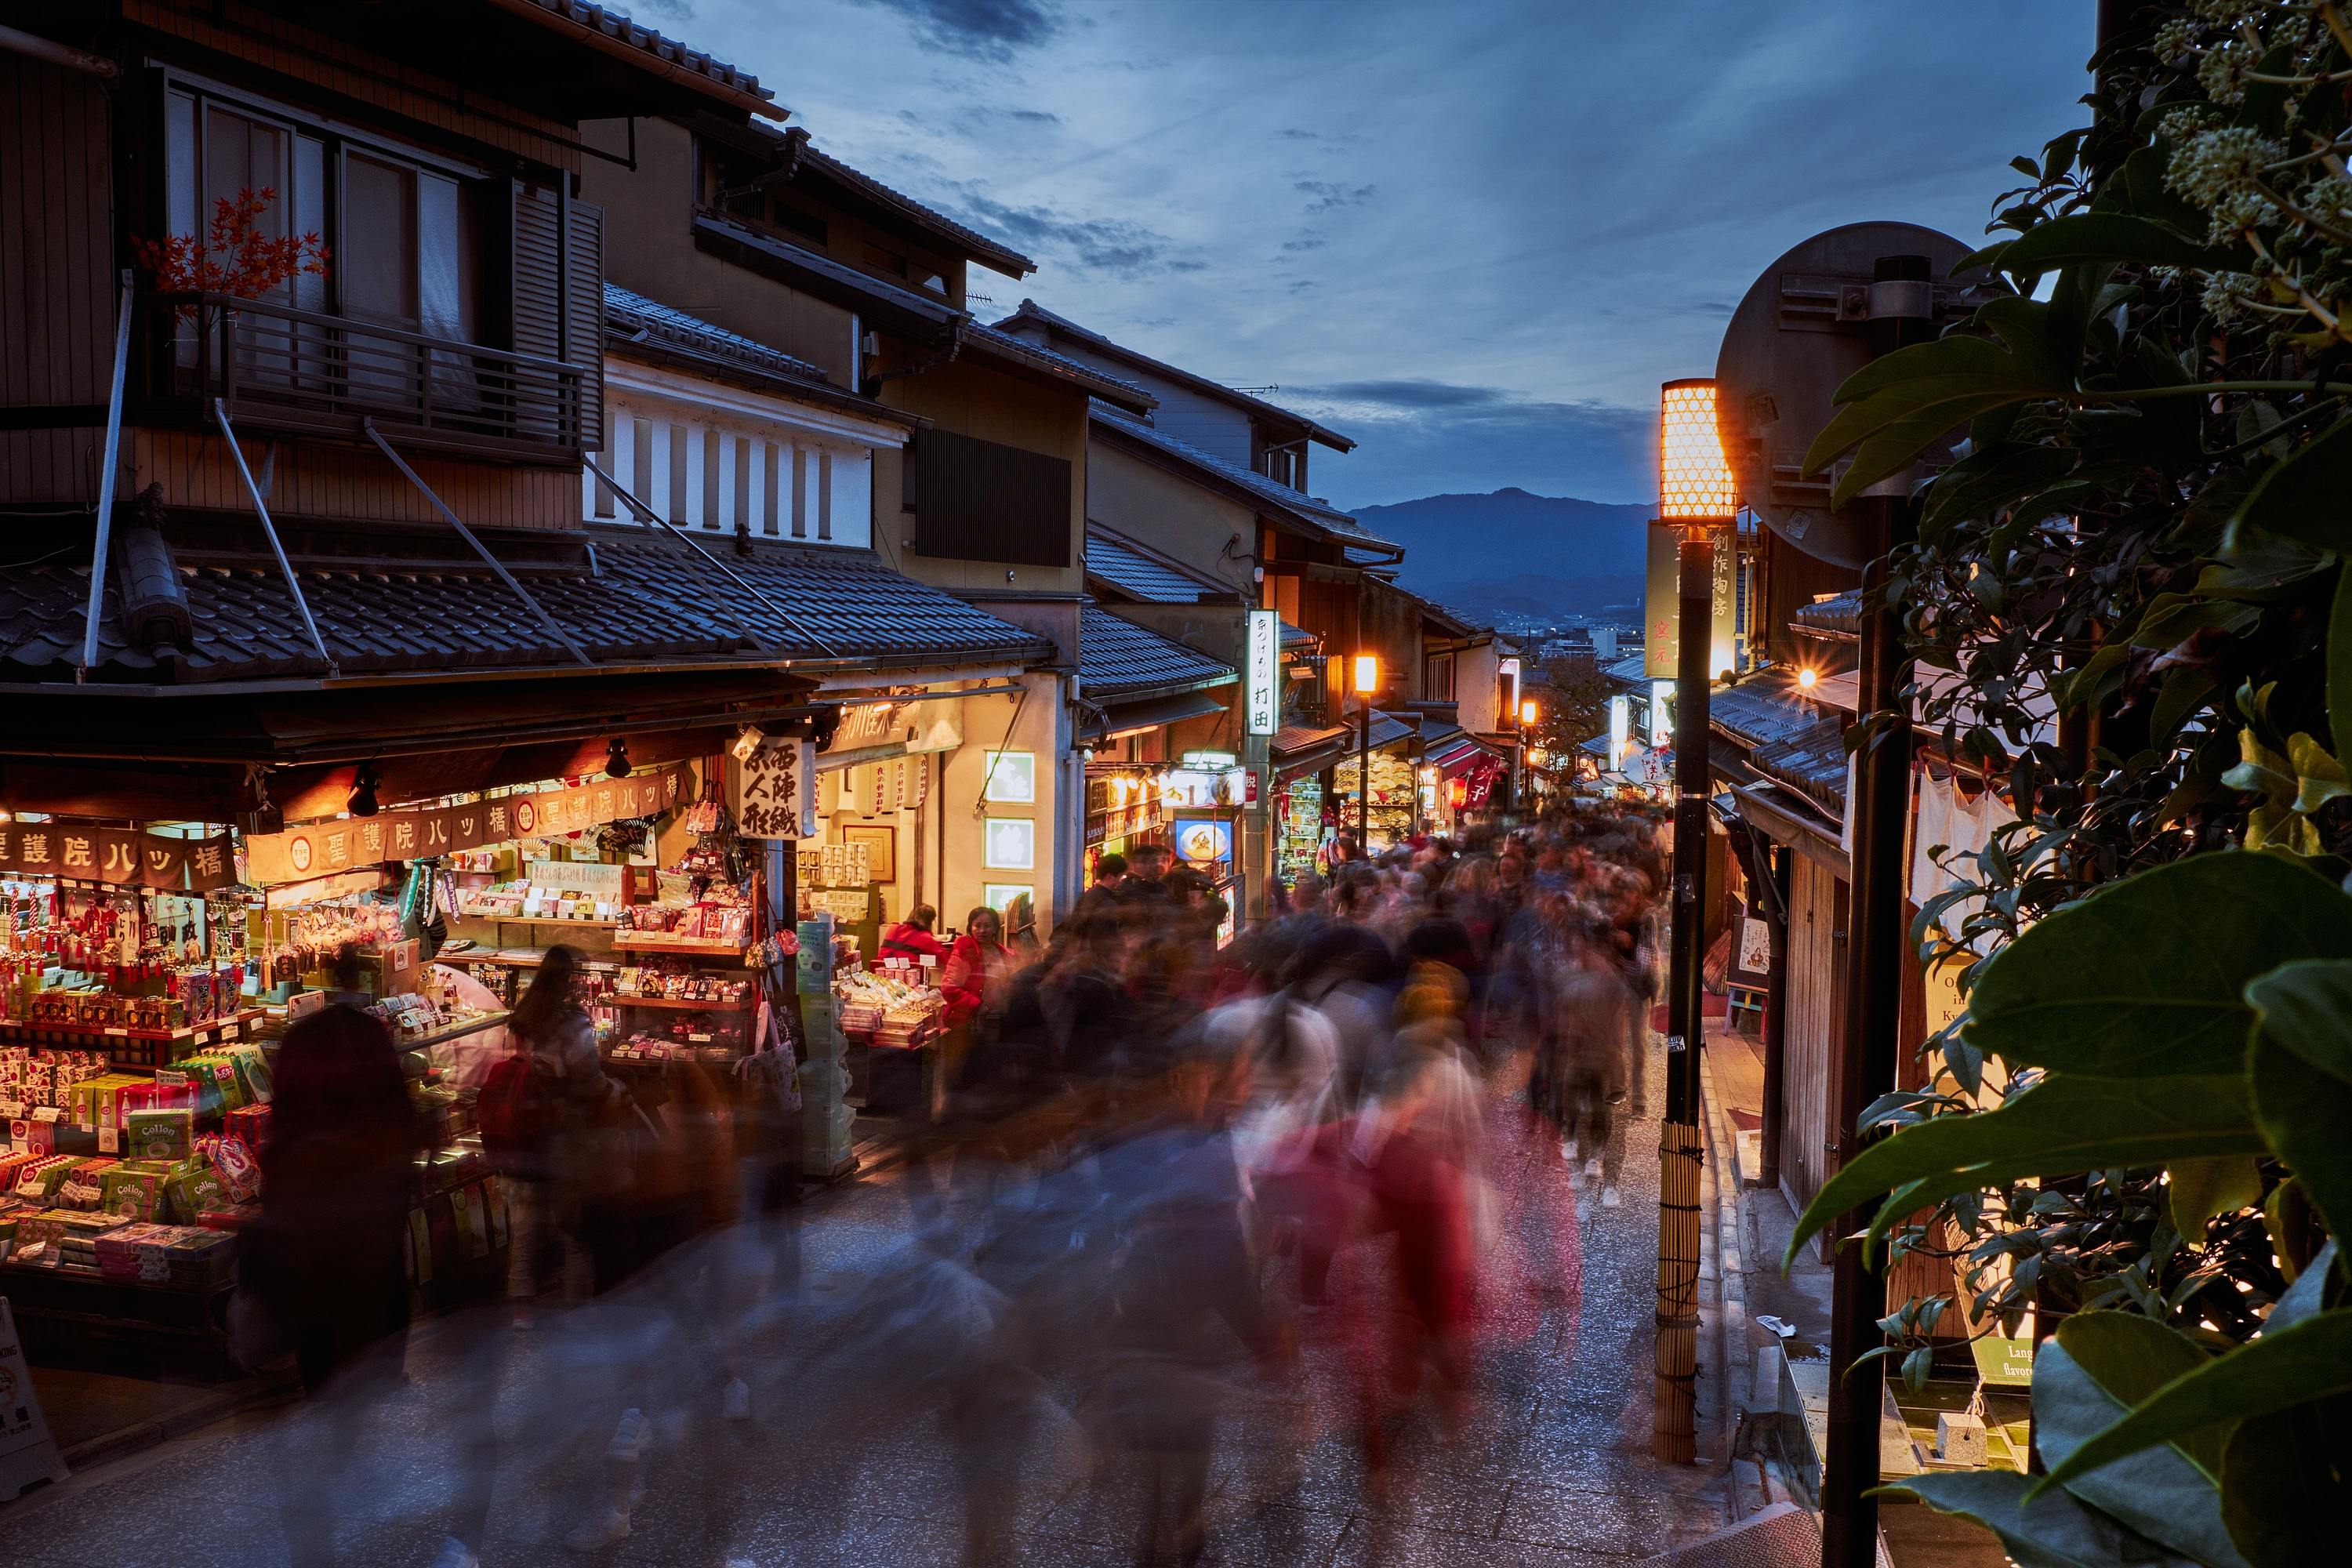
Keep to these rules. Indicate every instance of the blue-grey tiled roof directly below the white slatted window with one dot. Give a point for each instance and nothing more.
(843, 598)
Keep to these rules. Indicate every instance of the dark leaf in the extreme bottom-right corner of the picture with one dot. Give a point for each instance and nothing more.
(2287, 1485)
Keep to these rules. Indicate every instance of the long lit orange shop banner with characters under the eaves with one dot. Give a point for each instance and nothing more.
(319, 850)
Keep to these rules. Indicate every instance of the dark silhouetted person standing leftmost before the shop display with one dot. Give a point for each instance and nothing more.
(326, 1264)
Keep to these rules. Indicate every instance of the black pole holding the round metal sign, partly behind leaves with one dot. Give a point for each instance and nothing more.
(1902, 314)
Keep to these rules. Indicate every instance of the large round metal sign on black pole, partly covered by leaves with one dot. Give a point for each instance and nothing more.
(1798, 335)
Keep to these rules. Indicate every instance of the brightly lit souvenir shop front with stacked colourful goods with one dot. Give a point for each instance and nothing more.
(149, 972)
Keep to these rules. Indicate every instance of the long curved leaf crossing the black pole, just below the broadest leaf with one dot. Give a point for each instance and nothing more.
(2059, 1127)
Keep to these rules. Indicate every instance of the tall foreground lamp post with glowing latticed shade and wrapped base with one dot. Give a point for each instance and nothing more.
(1697, 500)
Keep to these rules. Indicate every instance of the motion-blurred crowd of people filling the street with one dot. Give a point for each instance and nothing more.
(1325, 1177)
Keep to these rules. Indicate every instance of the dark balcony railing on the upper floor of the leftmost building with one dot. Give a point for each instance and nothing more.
(298, 370)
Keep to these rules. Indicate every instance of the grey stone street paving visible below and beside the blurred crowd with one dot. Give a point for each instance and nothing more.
(1551, 1470)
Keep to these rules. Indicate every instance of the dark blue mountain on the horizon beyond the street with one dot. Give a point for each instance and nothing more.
(1516, 554)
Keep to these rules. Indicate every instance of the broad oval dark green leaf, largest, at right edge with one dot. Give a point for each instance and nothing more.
(2146, 977)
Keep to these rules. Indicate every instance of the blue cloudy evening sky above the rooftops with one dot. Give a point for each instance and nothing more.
(1474, 234)
